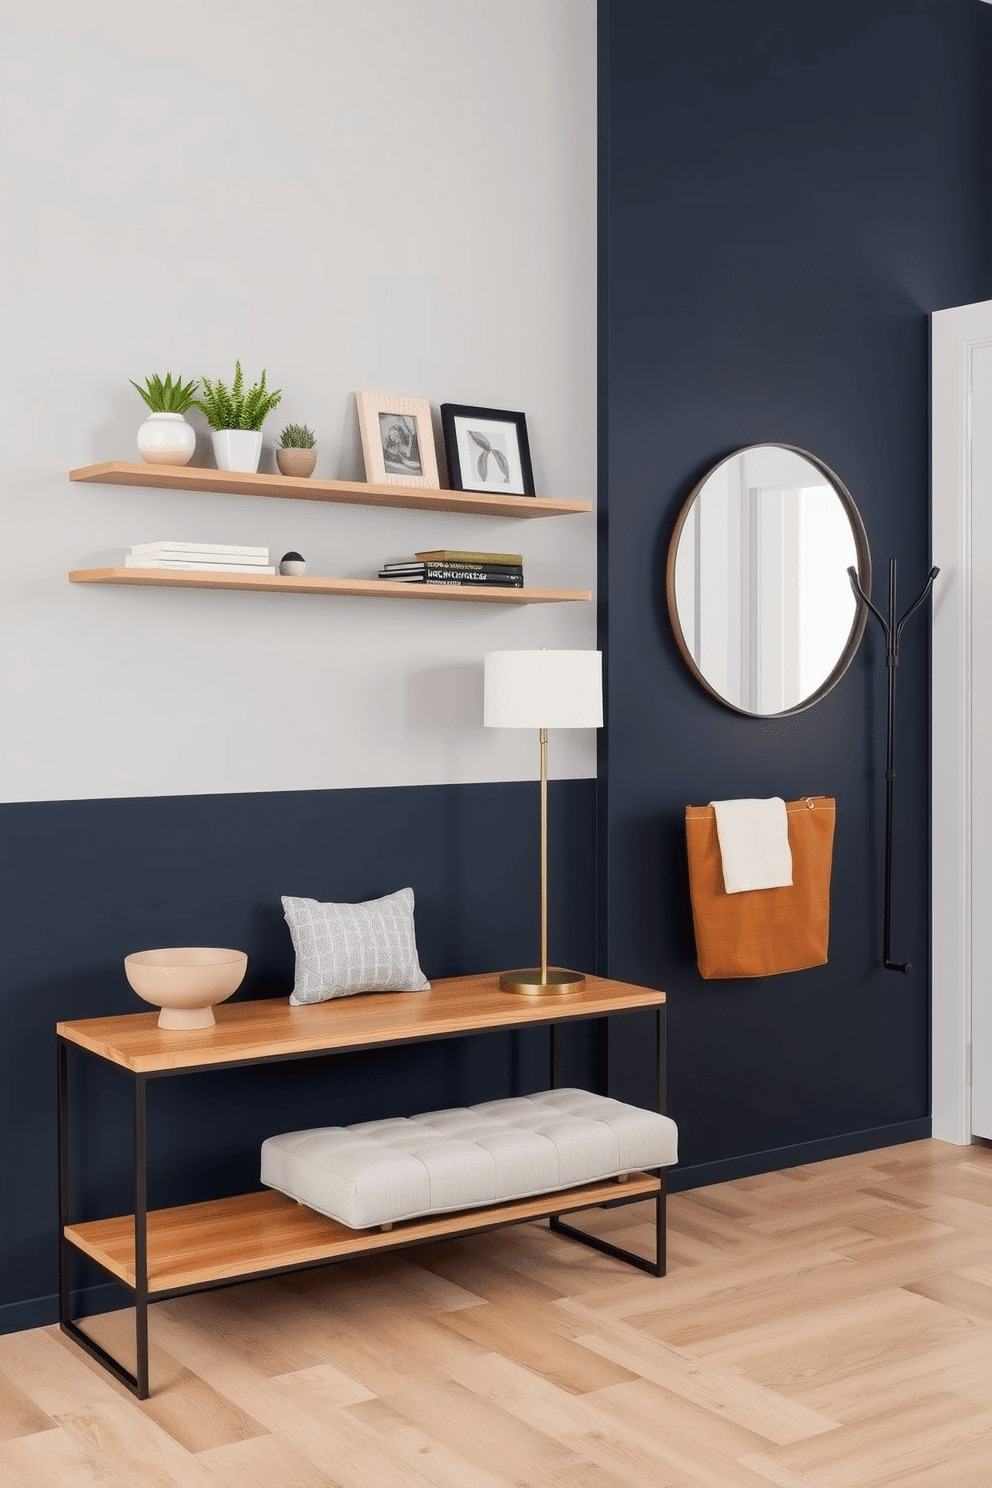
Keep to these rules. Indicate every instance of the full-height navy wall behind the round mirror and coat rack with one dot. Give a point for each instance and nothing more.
(786, 191)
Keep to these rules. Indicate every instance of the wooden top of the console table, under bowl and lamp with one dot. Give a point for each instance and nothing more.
(273, 1029)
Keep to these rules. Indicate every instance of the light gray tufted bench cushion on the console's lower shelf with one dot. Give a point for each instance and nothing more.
(381, 1172)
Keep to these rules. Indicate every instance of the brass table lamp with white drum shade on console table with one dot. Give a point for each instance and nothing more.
(547, 690)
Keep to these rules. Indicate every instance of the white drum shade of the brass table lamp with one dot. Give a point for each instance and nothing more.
(545, 690)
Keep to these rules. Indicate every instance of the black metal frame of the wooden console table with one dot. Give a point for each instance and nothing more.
(138, 1383)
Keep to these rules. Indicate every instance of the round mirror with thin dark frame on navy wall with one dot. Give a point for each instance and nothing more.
(758, 581)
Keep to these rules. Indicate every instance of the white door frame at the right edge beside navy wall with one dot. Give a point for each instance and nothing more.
(957, 334)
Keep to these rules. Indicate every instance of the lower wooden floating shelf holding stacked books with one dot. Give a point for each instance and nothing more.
(364, 589)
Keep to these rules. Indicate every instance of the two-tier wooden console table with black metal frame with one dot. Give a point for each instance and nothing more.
(172, 1252)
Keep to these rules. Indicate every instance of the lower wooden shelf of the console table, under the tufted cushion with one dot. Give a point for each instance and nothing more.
(251, 1236)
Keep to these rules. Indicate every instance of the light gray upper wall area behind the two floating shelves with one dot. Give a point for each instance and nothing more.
(392, 196)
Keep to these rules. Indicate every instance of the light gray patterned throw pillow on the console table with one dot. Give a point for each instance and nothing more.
(343, 950)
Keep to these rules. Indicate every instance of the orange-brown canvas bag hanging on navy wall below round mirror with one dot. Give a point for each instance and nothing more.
(767, 931)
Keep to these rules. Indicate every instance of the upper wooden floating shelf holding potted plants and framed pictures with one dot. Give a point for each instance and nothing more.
(350, 493)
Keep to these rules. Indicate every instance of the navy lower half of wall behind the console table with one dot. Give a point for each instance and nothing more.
(87, 882)
